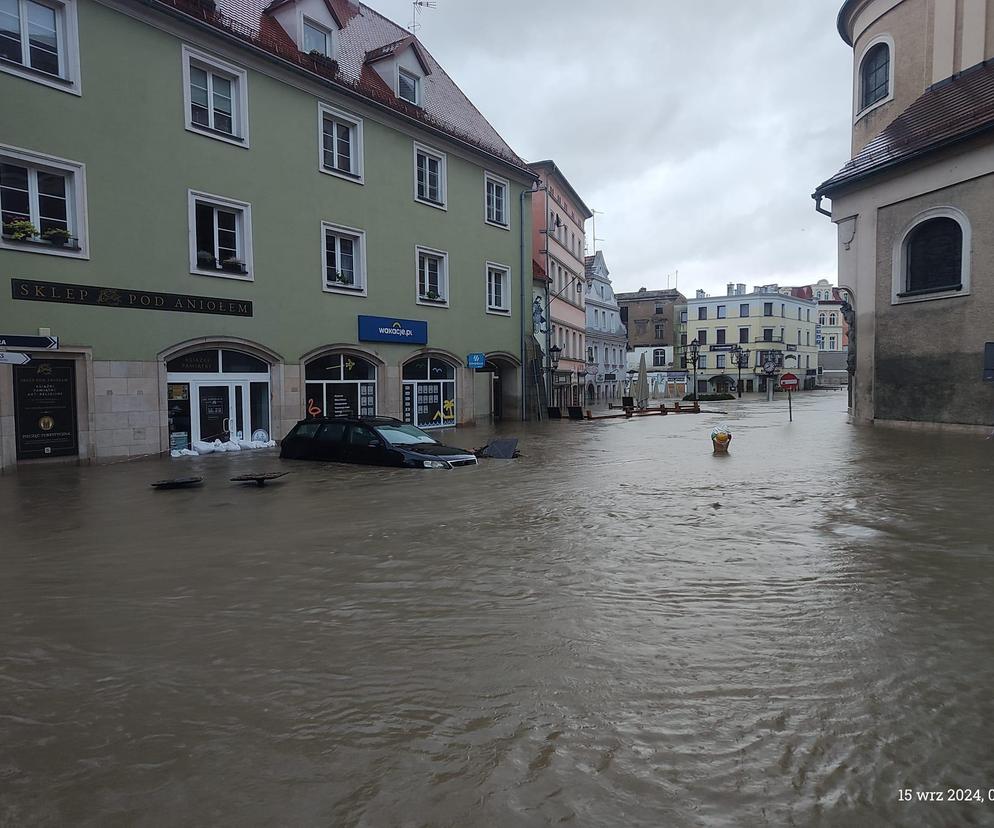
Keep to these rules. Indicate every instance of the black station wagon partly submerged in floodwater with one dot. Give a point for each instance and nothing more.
(372, 441)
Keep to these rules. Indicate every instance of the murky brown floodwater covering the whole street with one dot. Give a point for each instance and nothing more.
(618, 628)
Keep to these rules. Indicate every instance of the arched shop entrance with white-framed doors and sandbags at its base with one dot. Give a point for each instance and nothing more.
(217, 394)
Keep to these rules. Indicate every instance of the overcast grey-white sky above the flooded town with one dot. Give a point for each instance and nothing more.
(699, 129)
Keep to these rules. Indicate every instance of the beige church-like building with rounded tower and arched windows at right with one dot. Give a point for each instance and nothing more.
(915, 211)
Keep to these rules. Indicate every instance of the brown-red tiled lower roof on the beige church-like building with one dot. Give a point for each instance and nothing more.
(947, 113)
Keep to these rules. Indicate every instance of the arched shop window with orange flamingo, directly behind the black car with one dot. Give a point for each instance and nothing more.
(340, 385)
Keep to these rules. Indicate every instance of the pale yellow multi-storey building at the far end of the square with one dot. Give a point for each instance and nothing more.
(770, 326)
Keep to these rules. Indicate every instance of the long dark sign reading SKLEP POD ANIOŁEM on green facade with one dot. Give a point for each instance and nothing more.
(125, 298)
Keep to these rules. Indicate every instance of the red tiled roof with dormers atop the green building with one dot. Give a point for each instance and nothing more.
(364, 30)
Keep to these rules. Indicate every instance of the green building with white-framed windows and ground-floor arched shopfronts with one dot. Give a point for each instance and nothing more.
(229, 223)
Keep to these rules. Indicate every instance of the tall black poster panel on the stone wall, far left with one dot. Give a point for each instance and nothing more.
(45, 409)
